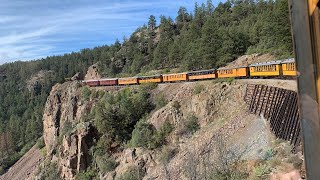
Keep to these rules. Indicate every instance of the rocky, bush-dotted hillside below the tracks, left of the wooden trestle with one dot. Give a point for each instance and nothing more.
(193, 121)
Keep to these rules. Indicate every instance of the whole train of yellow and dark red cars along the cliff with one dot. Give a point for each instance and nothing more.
(280, 68)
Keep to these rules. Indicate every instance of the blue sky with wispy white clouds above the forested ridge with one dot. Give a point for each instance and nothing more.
(33, 29)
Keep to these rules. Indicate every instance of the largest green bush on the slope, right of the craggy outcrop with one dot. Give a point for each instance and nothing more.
(115, 115)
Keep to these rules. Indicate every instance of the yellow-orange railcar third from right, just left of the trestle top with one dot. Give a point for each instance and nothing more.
(233, 72)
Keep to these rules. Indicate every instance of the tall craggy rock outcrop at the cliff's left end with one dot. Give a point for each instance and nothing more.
(66, 135)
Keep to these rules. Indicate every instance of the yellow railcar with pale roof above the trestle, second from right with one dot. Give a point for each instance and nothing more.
(272, 68)
